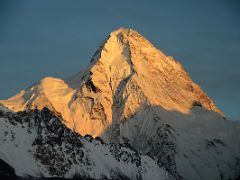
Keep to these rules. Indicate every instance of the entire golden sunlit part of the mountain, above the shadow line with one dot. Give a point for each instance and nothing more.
(127, 70)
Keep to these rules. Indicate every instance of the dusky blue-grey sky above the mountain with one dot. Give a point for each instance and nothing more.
(58, 38)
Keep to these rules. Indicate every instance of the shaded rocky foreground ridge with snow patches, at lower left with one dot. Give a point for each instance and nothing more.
(47, 148)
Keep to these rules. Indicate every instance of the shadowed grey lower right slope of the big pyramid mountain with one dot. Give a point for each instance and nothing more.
(199, 145)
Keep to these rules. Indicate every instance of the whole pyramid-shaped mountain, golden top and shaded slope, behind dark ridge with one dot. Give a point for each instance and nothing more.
(133, 93)
